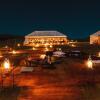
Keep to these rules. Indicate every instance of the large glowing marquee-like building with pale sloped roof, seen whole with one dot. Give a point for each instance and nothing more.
(41, 38)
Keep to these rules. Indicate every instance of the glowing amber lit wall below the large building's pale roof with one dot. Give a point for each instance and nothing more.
(32, 41)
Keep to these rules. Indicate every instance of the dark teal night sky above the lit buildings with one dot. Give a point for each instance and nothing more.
(74, 18)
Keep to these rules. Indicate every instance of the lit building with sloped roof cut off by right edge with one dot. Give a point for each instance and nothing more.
(95, 38)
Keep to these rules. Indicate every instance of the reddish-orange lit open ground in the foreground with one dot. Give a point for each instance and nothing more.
(68, 80)
